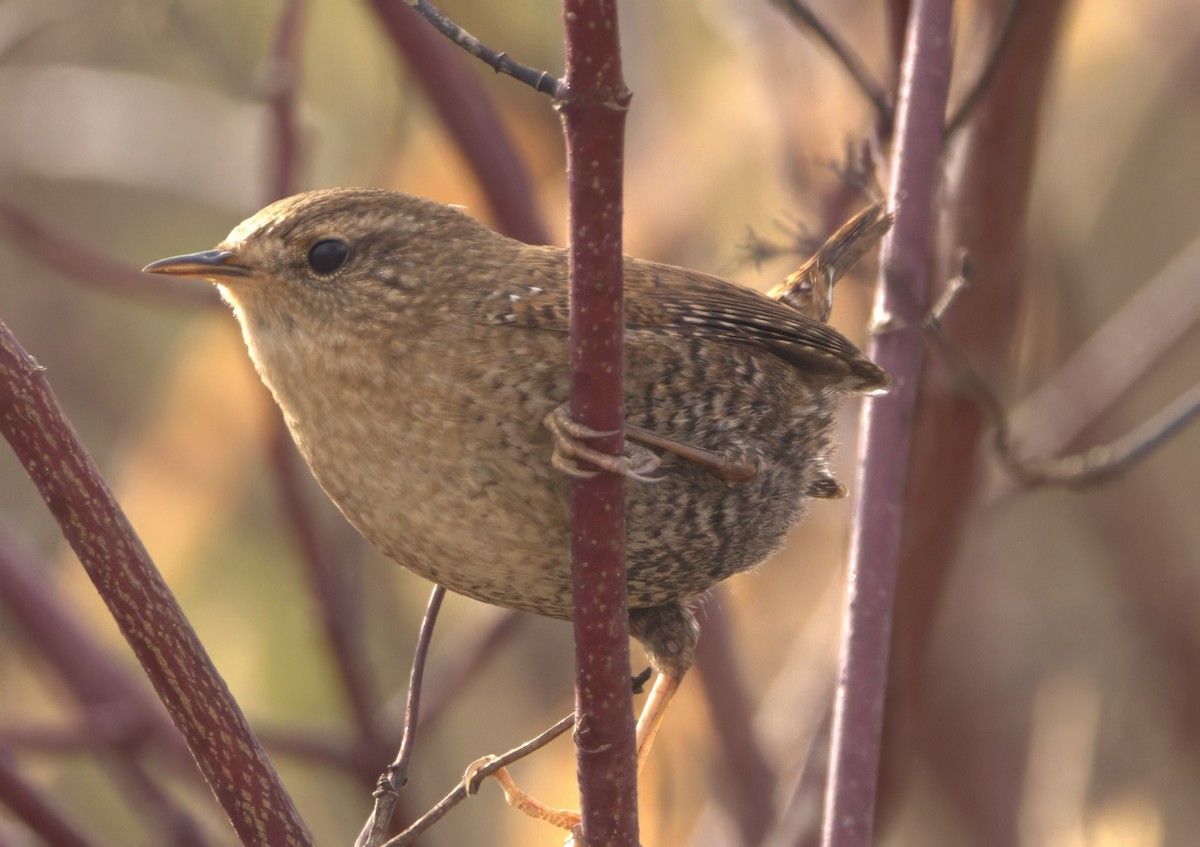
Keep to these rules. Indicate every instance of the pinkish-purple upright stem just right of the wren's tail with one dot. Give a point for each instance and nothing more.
(875, 544)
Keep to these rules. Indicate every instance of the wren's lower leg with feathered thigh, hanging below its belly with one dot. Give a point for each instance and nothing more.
(669, 634)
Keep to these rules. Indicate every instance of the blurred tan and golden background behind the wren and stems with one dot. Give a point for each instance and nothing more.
(1053, 692)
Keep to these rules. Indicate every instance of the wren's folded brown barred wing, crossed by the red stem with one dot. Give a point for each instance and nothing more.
(692, 304)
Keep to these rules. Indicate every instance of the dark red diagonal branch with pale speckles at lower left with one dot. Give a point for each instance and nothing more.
(217, 732)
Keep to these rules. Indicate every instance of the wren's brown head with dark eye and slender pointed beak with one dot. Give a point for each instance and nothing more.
(326, 261)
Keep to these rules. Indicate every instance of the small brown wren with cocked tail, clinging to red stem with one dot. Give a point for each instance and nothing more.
(422, 364)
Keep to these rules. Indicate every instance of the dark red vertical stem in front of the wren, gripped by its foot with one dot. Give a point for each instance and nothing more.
(595, 123)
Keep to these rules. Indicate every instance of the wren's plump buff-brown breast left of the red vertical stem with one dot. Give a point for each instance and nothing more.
(446, 473)
